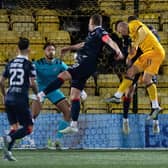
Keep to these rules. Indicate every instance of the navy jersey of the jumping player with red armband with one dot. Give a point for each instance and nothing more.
(93, 45)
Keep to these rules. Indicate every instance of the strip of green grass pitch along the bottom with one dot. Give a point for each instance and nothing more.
(87, 159)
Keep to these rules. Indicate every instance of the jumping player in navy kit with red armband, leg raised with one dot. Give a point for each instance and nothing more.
(87, 55)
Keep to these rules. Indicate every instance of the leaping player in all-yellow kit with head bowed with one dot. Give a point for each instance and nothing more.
(149, 62)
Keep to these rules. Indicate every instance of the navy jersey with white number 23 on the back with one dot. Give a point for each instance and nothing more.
(18, 71)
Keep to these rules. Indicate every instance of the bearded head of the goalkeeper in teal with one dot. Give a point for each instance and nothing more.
(49, 50)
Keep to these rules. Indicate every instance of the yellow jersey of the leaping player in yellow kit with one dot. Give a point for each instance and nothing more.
(150, 42)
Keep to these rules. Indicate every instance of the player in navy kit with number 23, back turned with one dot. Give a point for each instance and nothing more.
(21, 76)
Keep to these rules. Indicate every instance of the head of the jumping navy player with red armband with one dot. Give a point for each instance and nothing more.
(95, 20)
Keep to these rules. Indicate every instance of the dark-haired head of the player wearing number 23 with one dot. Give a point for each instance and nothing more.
(23, 45)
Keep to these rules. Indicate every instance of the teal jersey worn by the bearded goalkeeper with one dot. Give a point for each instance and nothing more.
(48, 71)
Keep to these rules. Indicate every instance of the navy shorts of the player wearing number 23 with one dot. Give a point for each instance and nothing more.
(20, 113)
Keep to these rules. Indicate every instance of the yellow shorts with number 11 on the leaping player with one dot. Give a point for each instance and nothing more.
(150, 61)
